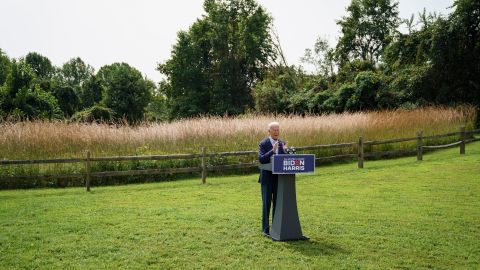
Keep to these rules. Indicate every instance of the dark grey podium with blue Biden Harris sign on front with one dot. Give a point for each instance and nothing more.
(286, 224)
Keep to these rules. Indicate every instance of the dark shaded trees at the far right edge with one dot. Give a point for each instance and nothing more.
(440, 62)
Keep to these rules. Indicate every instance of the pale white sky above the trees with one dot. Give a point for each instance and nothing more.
(142, 32)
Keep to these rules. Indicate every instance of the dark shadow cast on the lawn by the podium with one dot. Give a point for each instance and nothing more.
(313, 248)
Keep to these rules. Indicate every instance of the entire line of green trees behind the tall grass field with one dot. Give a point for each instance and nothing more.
(230, 62)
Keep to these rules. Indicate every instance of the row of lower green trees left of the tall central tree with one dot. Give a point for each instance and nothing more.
(34, 89)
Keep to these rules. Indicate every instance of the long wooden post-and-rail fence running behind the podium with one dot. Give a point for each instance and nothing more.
(204, 168)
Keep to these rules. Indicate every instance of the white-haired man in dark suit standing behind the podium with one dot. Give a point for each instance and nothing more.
(266, 149)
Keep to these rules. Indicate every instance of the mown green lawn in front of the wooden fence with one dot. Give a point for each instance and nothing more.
(394, 214)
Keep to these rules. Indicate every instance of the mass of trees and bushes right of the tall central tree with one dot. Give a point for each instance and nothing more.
(374, 66)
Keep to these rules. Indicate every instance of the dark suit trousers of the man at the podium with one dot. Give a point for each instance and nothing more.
(269, 196)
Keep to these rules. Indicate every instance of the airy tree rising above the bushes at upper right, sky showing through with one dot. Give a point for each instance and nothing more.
(367, 29)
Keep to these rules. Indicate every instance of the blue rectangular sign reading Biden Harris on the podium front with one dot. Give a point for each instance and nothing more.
(290, 164)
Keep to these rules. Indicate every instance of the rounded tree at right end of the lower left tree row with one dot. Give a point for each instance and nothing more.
(125, 91)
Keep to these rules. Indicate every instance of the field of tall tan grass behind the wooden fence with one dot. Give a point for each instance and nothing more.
(57, 139)
